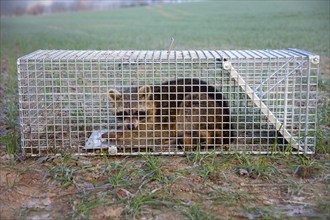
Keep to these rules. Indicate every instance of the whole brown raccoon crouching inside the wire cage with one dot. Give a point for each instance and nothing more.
(181, 112)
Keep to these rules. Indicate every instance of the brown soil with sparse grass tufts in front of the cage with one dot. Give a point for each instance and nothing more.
(164, 187)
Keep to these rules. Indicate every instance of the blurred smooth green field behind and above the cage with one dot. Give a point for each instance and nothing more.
(204, 25)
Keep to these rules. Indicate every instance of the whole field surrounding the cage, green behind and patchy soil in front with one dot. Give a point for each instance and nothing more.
(191, 187)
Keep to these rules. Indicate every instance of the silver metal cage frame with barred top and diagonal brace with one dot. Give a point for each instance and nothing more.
(227, 58)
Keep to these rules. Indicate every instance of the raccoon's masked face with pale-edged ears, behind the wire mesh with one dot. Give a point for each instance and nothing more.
(132, 108)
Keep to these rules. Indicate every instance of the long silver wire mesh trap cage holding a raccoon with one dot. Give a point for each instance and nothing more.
(168, 102)
